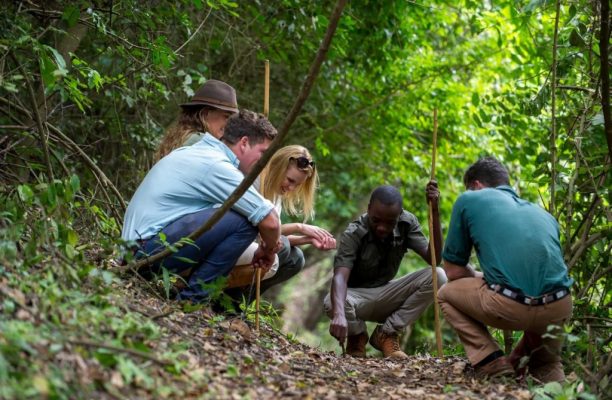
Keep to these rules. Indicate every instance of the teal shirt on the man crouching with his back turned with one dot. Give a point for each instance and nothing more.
(517, 242)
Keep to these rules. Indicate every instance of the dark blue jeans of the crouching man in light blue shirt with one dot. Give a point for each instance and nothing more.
(214, 253)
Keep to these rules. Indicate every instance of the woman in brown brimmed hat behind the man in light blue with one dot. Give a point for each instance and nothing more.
(207, 111)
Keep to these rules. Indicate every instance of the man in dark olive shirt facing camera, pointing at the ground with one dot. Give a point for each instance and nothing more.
(369, 255)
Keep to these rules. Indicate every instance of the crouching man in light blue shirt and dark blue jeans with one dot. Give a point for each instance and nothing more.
(183, 190)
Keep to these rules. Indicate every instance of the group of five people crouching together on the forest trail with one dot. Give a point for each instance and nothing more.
(205, 155)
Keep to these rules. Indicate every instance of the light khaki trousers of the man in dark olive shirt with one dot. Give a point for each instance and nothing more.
(395, 304)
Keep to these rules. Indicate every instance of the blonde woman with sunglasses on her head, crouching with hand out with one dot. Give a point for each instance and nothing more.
(290, 181)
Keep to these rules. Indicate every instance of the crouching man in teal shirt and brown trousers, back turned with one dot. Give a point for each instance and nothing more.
(523, 285)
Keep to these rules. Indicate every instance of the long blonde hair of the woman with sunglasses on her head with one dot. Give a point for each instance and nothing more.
(299, 201)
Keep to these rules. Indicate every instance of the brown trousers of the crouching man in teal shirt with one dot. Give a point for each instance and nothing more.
(470, 306)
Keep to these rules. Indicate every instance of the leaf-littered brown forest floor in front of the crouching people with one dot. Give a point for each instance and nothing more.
(236, 362)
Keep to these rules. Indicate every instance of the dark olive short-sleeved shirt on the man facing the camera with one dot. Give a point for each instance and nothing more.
(373, 262)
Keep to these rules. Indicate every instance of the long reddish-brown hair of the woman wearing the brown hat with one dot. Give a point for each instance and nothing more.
(191, 120)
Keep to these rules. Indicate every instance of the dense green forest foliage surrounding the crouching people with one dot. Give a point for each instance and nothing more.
(87, 89)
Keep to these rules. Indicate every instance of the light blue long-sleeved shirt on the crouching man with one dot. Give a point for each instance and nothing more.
(188, 180)
